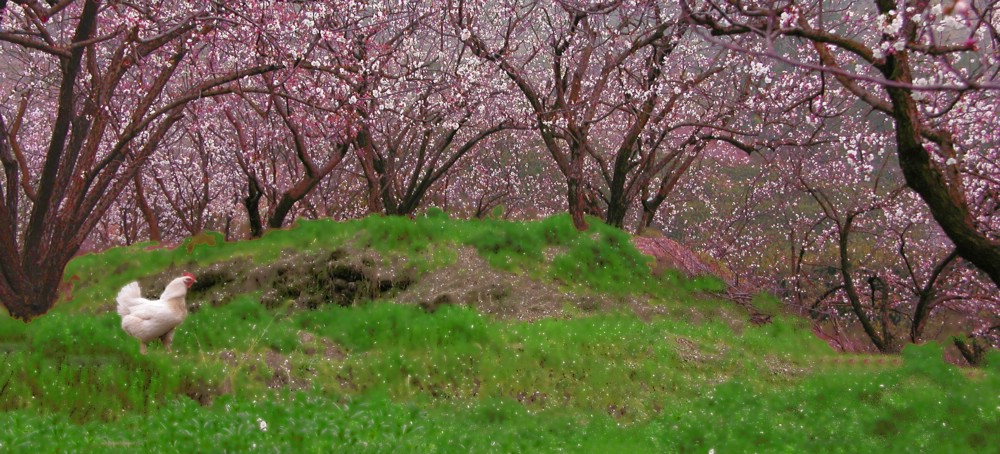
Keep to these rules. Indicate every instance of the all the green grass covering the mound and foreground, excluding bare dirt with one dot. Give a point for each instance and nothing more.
(381, 376)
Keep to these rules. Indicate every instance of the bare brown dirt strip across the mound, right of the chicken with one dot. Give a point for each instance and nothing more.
(349, 275)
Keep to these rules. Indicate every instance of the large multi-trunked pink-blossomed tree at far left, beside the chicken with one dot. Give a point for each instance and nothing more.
(93, 90)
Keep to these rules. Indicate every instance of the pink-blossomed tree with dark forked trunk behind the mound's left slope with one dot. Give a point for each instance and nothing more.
(283, 133)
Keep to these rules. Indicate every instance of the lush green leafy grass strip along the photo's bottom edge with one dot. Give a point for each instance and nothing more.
(924, 406)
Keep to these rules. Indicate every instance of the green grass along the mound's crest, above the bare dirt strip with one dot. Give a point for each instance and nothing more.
(599, 260)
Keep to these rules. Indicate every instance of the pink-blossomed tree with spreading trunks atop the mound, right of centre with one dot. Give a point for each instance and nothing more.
(598, 81)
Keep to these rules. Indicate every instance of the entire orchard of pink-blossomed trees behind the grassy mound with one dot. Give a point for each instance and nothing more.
(843, 155)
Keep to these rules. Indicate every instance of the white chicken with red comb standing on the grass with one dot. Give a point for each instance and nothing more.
(146, 319)
